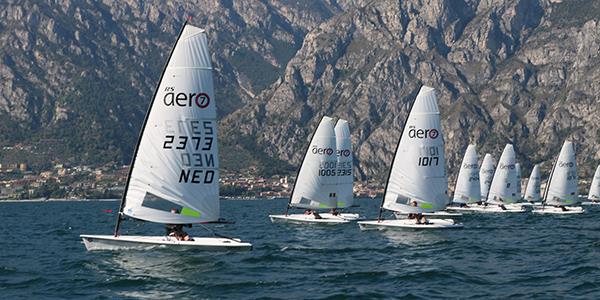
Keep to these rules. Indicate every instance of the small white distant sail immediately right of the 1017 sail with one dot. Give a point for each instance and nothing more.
(467, 188)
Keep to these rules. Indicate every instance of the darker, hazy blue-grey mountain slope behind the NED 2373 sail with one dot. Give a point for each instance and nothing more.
(83, 72)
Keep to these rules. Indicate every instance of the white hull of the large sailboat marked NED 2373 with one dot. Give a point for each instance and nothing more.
(110, 242)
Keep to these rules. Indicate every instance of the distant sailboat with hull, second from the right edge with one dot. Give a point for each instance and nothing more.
(561, 193)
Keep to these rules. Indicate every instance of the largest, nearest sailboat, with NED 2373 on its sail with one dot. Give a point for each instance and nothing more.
(174, 174)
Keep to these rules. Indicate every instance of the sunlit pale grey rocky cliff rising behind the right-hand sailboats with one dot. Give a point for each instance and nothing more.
(505, 71)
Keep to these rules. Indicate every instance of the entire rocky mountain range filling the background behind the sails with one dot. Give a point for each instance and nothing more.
(77, 76)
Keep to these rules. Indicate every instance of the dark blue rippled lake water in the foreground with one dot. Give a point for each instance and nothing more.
(494, 256)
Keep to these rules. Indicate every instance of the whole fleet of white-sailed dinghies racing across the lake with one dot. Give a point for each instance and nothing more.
(174, 174)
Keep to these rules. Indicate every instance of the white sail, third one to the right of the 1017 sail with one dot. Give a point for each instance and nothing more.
(503, 189)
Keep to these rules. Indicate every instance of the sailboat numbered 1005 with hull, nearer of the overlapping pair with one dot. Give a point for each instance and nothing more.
(316, 183)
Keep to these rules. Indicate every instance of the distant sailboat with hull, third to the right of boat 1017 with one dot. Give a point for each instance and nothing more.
(503, 189)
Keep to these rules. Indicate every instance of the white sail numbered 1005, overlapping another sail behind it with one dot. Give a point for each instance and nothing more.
(316, 183)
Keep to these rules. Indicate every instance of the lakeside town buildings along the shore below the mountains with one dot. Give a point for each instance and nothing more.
(62, 181)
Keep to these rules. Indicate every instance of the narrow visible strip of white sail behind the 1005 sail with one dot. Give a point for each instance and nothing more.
(345, 175)
